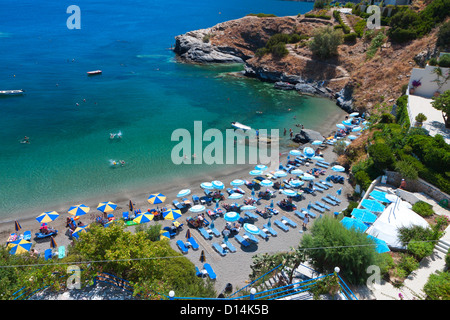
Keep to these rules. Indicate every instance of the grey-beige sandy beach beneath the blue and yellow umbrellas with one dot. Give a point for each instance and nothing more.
(233, 268)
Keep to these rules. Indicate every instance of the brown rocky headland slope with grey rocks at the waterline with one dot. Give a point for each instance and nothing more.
(354, 81)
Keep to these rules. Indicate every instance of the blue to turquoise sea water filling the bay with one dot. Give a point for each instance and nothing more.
(143, 92)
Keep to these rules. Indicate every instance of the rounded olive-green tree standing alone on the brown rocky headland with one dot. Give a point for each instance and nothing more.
(325, 42)
